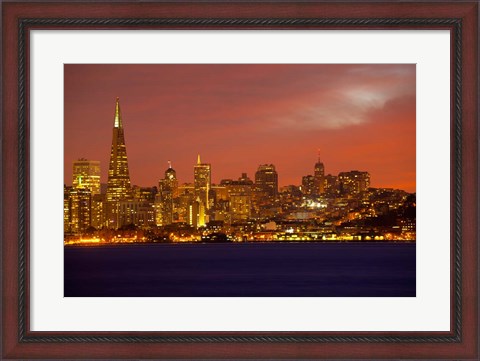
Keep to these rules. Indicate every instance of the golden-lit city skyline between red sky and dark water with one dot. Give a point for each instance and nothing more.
(234, 209)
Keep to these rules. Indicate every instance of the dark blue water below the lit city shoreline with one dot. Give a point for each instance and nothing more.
(242, 270)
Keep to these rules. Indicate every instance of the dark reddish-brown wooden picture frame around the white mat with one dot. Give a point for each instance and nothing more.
(460, 18)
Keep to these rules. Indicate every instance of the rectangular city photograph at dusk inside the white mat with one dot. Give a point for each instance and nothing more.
(239, 180)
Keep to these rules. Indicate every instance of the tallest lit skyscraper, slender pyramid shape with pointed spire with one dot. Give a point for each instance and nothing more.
(118, 185)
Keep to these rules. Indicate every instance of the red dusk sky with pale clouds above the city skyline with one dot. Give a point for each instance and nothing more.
(360, 117)
